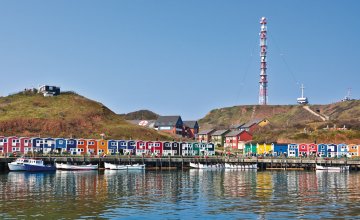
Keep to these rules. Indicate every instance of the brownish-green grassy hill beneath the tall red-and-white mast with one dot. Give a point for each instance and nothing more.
(292, 123)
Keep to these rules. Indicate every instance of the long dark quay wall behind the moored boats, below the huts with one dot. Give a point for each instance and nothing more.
(183, 162)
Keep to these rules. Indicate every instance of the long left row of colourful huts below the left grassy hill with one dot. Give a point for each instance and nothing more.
(24, 145)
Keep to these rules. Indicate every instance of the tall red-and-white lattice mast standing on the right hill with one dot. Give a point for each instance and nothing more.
(263, 95)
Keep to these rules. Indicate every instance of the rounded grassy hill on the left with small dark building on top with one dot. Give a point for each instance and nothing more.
(69, 114)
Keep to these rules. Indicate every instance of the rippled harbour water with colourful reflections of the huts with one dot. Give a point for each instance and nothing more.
(177, 194)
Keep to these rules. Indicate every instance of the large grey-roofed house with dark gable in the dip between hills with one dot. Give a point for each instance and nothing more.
(170, 124)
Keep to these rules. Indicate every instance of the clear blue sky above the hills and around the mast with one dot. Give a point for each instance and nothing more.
(181, 57)
